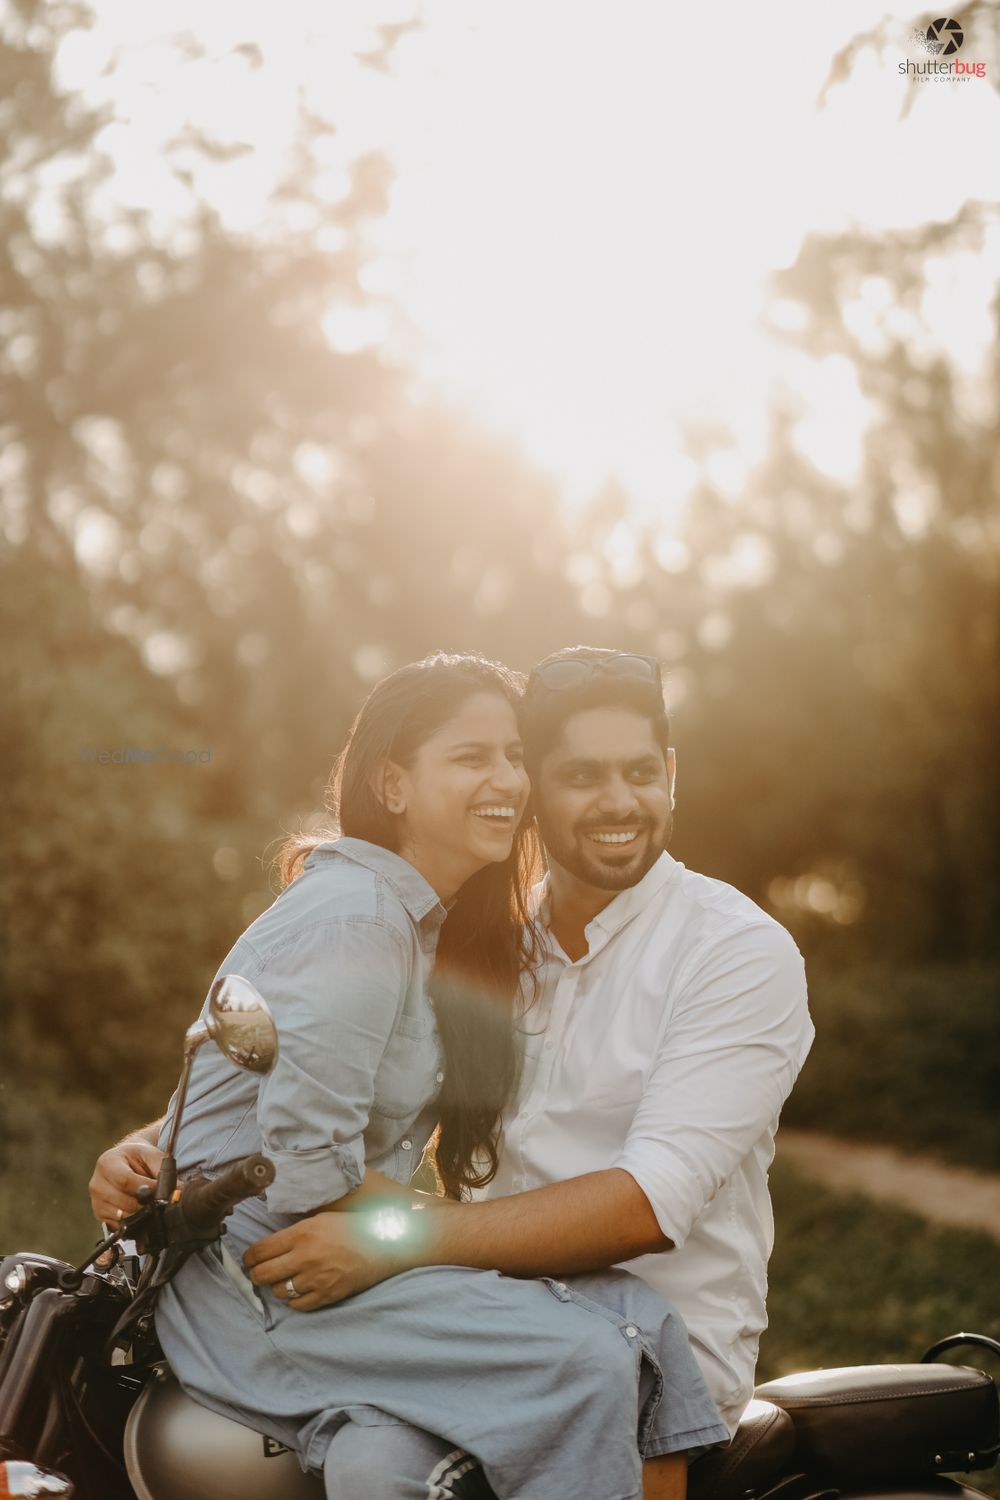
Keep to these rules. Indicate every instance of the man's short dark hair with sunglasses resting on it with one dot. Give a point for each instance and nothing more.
(543, 710)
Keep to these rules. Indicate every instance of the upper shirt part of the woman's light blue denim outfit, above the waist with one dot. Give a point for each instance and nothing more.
(343, 958)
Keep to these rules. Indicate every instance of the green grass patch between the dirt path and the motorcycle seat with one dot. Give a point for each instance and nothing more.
(854, 1283)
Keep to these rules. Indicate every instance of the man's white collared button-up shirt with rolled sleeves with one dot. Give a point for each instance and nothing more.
(668, 1051)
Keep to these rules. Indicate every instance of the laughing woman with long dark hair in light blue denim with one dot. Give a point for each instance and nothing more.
(395, 1024)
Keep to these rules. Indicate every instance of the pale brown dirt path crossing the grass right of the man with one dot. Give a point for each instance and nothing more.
(938, 1192)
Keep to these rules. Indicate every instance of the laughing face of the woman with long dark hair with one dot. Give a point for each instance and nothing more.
(463, 797)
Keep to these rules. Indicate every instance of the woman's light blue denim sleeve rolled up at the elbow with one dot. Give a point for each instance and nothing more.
(337, 992)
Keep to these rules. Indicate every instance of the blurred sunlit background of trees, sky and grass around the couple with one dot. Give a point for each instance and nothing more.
(337, 334)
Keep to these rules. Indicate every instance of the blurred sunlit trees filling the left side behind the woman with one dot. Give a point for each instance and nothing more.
(218, 532)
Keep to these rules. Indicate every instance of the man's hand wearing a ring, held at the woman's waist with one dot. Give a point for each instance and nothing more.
(332, 1256)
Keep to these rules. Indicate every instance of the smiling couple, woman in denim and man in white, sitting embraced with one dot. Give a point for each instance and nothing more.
(609, 1052)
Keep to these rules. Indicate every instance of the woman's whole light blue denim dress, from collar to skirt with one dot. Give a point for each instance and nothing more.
(555, 1387)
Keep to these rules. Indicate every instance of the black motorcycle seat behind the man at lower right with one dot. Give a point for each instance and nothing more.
(890, 1423)
